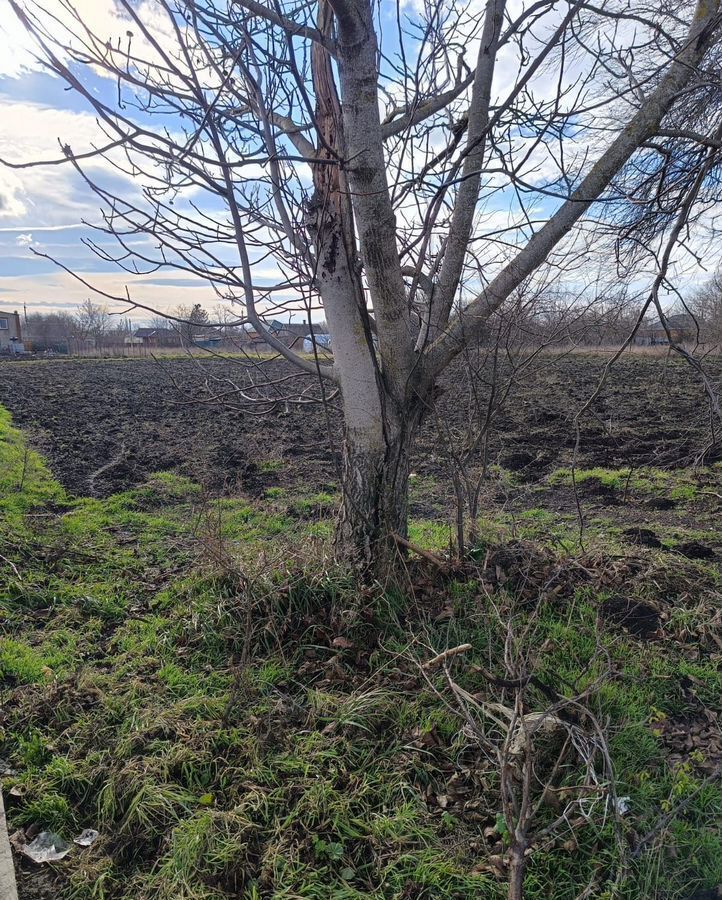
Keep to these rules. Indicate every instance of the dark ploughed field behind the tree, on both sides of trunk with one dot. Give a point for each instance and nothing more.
(106, 425)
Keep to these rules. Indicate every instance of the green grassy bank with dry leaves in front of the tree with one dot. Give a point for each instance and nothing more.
(193, 678)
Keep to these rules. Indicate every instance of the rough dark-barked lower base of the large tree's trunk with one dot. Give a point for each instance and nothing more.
(375, 500)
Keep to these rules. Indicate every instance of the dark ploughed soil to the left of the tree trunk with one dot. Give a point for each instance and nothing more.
(106, 425)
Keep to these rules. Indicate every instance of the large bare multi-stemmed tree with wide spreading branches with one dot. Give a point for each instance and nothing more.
(405, 177)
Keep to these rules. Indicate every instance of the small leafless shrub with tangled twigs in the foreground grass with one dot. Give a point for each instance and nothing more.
(551, 753)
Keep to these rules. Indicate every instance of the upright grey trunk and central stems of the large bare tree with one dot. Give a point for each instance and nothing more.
(379, 424)
